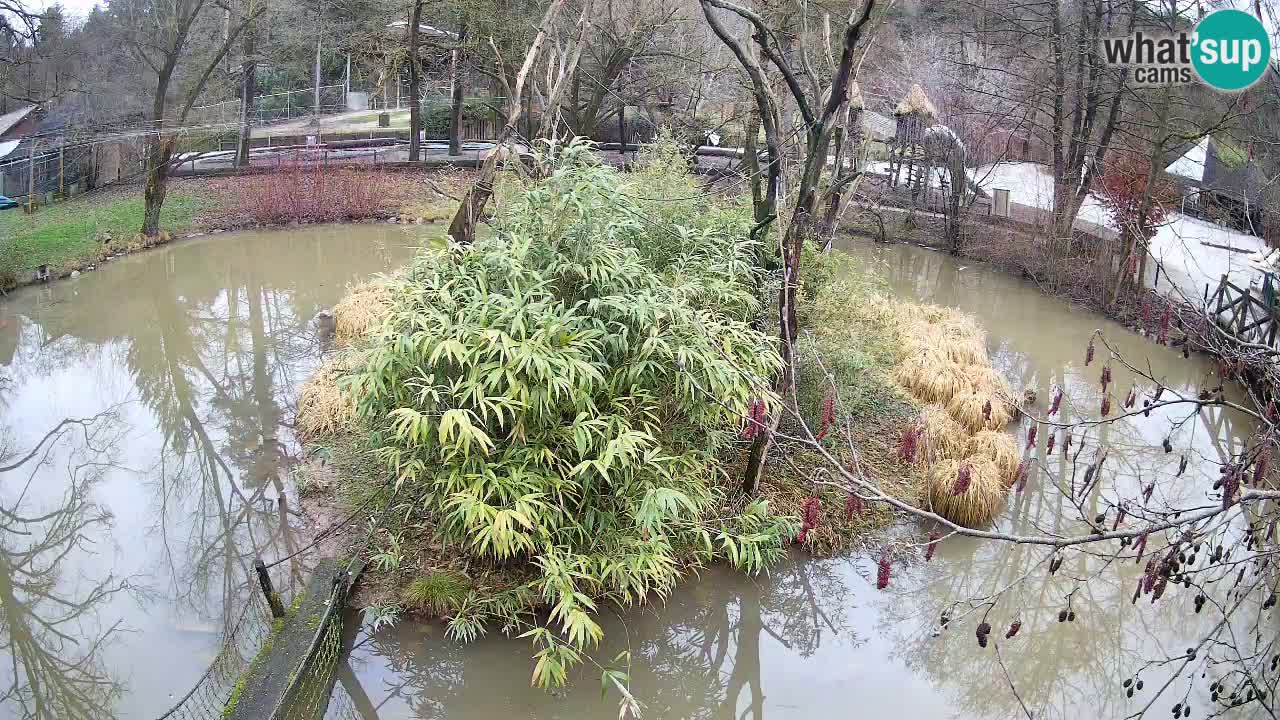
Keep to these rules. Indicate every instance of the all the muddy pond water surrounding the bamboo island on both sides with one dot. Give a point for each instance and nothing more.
(127, 536)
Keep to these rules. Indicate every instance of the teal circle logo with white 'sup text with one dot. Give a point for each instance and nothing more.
(1231, 51)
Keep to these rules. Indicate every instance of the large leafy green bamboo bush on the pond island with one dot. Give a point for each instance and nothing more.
(559, 394)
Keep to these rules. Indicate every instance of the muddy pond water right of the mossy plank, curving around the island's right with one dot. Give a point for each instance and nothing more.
(813, 639)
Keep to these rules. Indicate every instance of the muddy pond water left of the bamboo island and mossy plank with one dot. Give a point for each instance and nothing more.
(198, 350)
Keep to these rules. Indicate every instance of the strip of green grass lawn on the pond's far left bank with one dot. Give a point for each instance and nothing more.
(68, 234)
